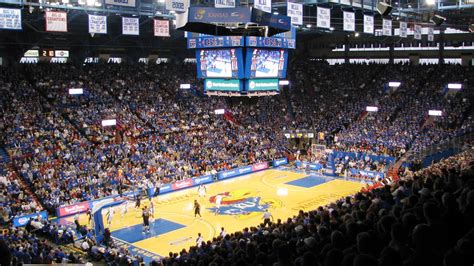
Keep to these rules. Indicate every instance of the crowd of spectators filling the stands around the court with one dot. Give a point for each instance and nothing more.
(163, 134)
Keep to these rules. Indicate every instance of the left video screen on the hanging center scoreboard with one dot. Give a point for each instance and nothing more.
(220, 63)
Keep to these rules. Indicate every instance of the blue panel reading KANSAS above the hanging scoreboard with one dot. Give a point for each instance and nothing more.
(219, 15)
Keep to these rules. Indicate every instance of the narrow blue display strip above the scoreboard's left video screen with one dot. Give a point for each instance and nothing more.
(215, 42)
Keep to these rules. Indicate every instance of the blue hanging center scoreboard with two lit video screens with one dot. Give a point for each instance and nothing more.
(241, 66)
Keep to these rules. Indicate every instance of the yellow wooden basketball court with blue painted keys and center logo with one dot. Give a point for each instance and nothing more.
(174, 227)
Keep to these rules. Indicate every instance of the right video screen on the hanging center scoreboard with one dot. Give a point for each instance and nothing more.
(265, 63)
